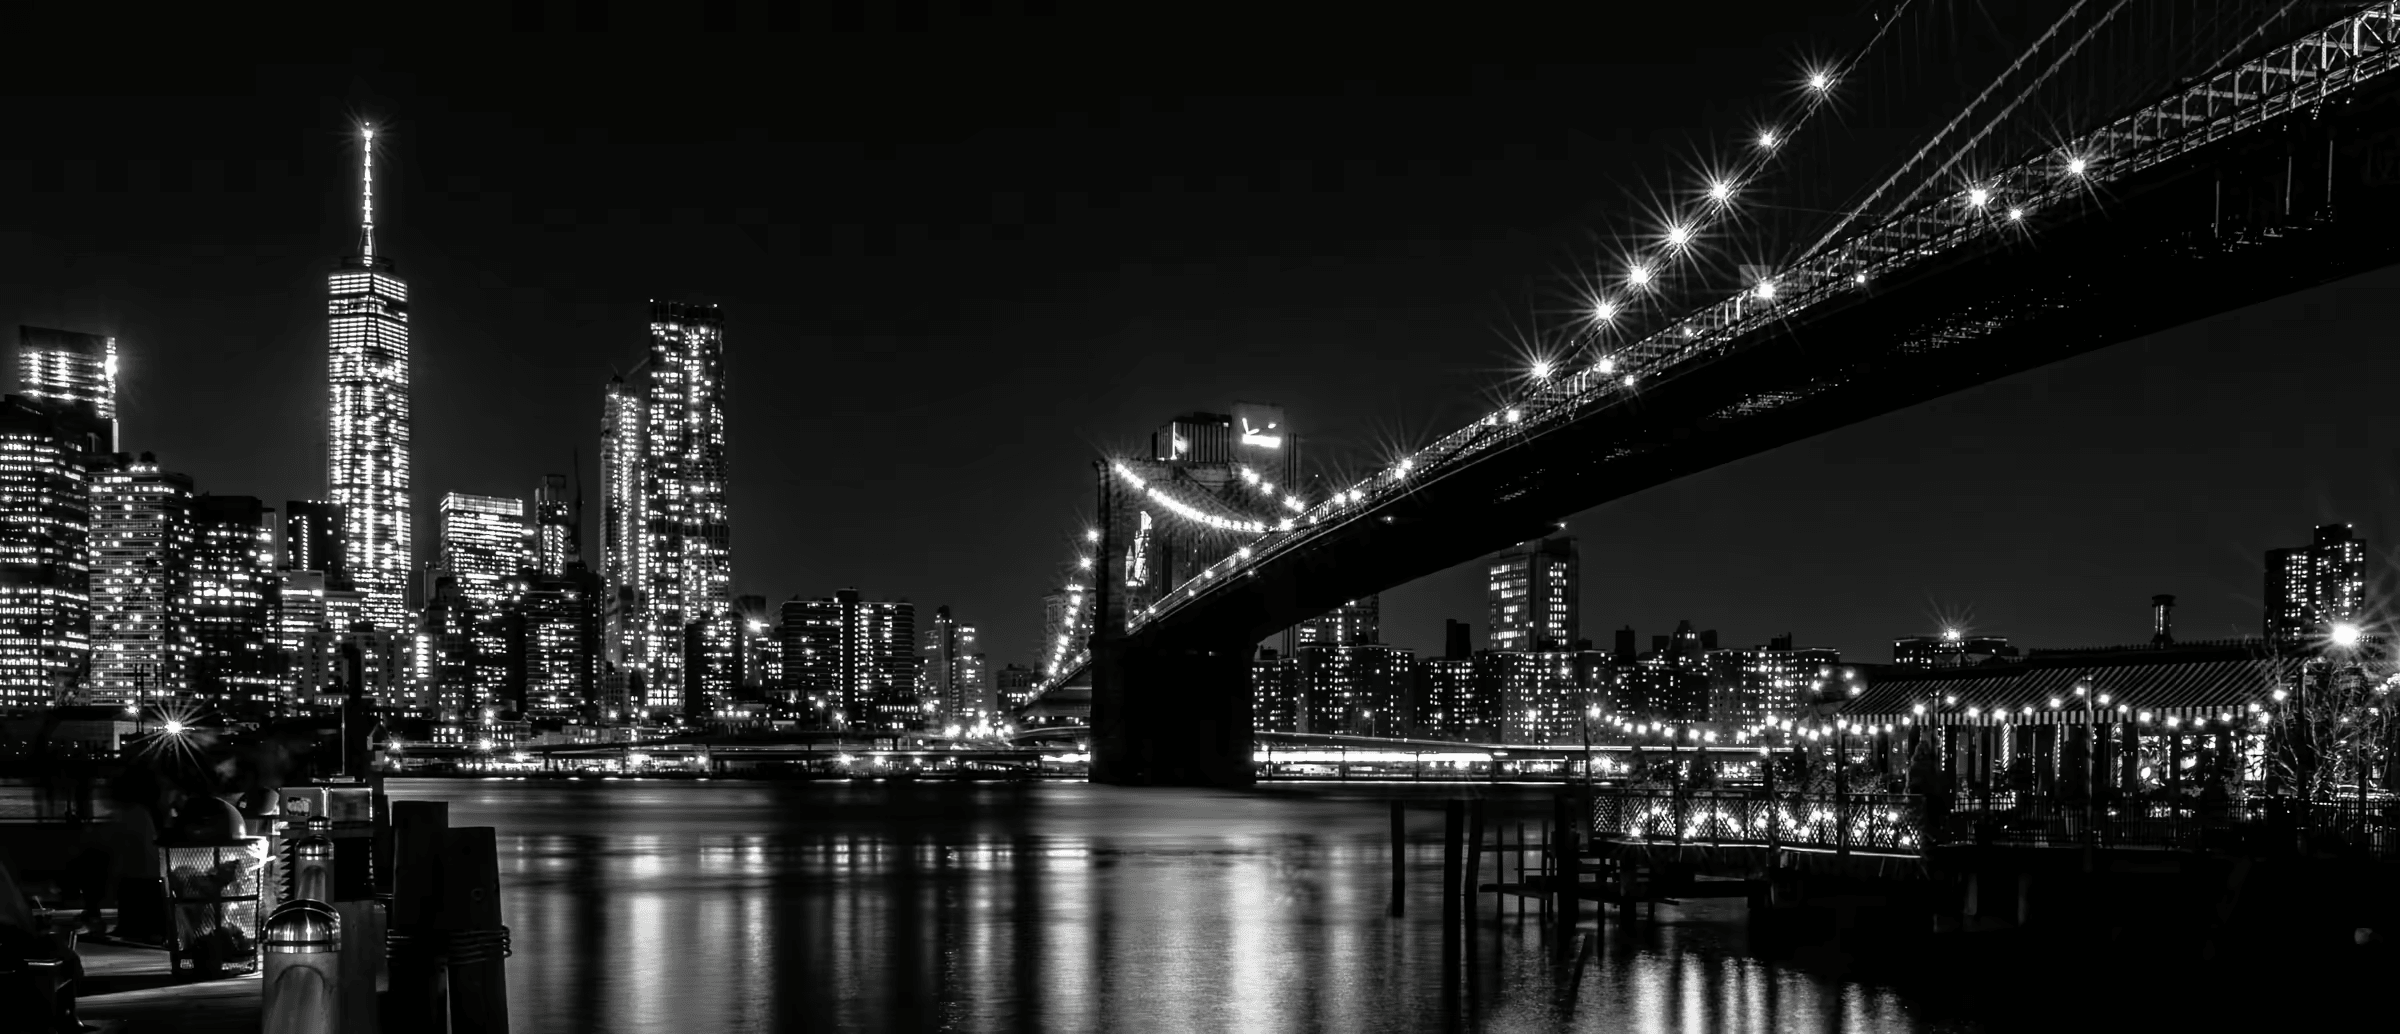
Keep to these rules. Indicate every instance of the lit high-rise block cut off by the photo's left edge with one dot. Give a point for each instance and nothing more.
(44, 555)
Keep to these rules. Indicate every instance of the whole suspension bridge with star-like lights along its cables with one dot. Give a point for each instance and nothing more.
(2080, 200)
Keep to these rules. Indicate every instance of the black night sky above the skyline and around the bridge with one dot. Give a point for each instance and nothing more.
(964, 256)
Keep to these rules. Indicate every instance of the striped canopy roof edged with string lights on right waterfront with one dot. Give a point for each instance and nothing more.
(2202, 690)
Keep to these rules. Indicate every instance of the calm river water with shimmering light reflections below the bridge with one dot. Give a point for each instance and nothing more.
(1072, 908)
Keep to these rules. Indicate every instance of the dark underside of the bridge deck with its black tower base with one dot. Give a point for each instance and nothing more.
(2279, 208)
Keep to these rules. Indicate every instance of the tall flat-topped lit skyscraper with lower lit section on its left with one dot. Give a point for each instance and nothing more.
(666, 522)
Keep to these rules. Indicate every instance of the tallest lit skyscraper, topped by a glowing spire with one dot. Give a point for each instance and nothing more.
(368, 414)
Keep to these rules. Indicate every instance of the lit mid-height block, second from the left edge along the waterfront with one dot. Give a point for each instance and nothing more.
(140, 582)
